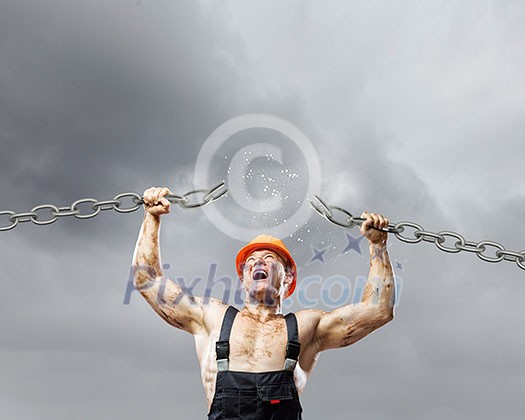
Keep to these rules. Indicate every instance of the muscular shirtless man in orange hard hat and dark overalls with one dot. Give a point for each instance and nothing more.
(255, 362)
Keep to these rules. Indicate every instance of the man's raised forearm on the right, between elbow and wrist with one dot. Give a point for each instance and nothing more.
(380, 287)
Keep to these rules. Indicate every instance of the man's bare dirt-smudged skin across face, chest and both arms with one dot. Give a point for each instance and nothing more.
(259, 336)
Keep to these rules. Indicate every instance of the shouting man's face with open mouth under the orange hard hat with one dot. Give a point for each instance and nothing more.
(264, 275)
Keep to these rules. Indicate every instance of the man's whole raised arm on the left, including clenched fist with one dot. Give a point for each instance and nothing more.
(177, 307)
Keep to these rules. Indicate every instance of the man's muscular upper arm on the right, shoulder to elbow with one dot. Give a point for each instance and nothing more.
(346, 325)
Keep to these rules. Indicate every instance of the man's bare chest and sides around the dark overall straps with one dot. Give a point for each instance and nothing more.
(256, 345)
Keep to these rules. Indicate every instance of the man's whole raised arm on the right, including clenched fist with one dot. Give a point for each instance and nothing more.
(348, 324)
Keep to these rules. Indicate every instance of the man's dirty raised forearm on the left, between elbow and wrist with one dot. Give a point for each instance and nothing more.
(146, 258)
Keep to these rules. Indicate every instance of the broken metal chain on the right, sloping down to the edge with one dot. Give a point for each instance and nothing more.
(419, 234)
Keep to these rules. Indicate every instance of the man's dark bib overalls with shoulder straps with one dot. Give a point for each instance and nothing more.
(255, 396)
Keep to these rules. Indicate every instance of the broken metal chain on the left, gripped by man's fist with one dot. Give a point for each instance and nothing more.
(87, 208)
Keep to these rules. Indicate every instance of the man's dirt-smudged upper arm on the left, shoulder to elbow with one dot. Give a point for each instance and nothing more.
(177, 307)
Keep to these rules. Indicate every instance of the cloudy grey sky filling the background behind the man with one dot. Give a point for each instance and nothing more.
(414, 109)
